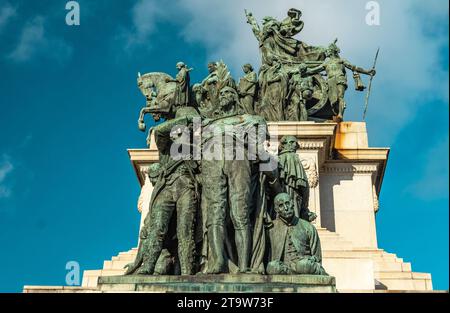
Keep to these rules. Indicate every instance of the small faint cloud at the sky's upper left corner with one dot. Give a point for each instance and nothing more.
(34, 41)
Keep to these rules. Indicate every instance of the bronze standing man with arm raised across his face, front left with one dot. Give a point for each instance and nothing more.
(174, 197)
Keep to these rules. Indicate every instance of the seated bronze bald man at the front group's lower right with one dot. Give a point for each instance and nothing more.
(295, 243)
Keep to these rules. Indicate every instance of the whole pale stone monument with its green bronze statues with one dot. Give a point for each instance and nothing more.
(257, 186)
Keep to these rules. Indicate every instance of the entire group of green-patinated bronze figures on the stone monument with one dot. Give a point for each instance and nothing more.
(223, 214)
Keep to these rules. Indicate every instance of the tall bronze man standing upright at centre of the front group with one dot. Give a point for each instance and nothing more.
(228, 181)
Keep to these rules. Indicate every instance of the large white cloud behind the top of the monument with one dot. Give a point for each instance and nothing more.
(410, 44)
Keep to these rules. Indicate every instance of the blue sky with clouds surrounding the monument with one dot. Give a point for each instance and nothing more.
(69, 107)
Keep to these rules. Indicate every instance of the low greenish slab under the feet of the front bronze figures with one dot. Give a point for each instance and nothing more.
(251, 283)
